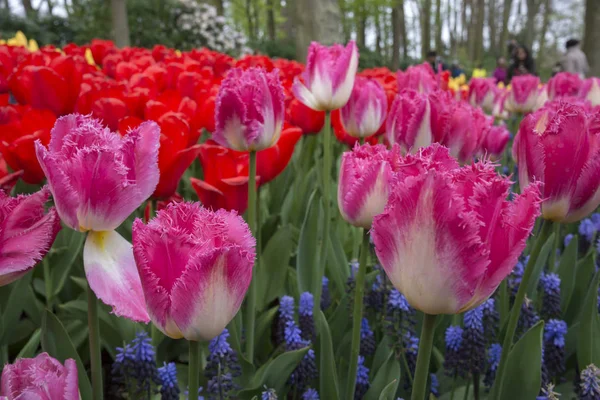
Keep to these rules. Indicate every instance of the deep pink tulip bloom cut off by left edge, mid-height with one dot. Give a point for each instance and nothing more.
(27, 233)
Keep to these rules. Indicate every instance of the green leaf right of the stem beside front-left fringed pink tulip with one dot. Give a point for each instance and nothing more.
(272, 271)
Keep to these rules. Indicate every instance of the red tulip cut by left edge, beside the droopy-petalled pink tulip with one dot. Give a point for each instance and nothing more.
(17, 139)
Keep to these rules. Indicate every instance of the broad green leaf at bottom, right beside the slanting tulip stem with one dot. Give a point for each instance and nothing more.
(523, 373)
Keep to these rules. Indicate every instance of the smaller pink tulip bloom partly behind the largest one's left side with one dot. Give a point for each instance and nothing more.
(365, 180)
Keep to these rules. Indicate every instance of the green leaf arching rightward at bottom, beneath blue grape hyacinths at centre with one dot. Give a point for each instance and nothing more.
(275, 373)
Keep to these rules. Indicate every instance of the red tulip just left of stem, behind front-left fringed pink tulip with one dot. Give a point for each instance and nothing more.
(223, 186)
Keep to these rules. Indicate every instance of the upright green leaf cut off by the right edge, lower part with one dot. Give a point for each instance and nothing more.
(588, 350)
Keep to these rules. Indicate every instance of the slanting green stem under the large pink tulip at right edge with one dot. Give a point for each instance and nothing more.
(513, 318)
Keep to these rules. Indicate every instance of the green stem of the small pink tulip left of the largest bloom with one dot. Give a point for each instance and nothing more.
(359, 289)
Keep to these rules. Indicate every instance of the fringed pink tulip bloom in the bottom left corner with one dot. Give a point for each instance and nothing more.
(40, 378)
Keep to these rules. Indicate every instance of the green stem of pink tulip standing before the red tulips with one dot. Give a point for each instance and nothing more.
(251, 305)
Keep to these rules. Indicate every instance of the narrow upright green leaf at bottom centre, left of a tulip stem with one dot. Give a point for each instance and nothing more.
(329, 388)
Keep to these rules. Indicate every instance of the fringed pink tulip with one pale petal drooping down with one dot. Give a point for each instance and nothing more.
(97, 180)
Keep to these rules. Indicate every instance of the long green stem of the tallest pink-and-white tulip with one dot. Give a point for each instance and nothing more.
(327, 162)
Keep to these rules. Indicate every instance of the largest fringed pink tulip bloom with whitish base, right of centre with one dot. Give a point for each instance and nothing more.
(448, 236)
